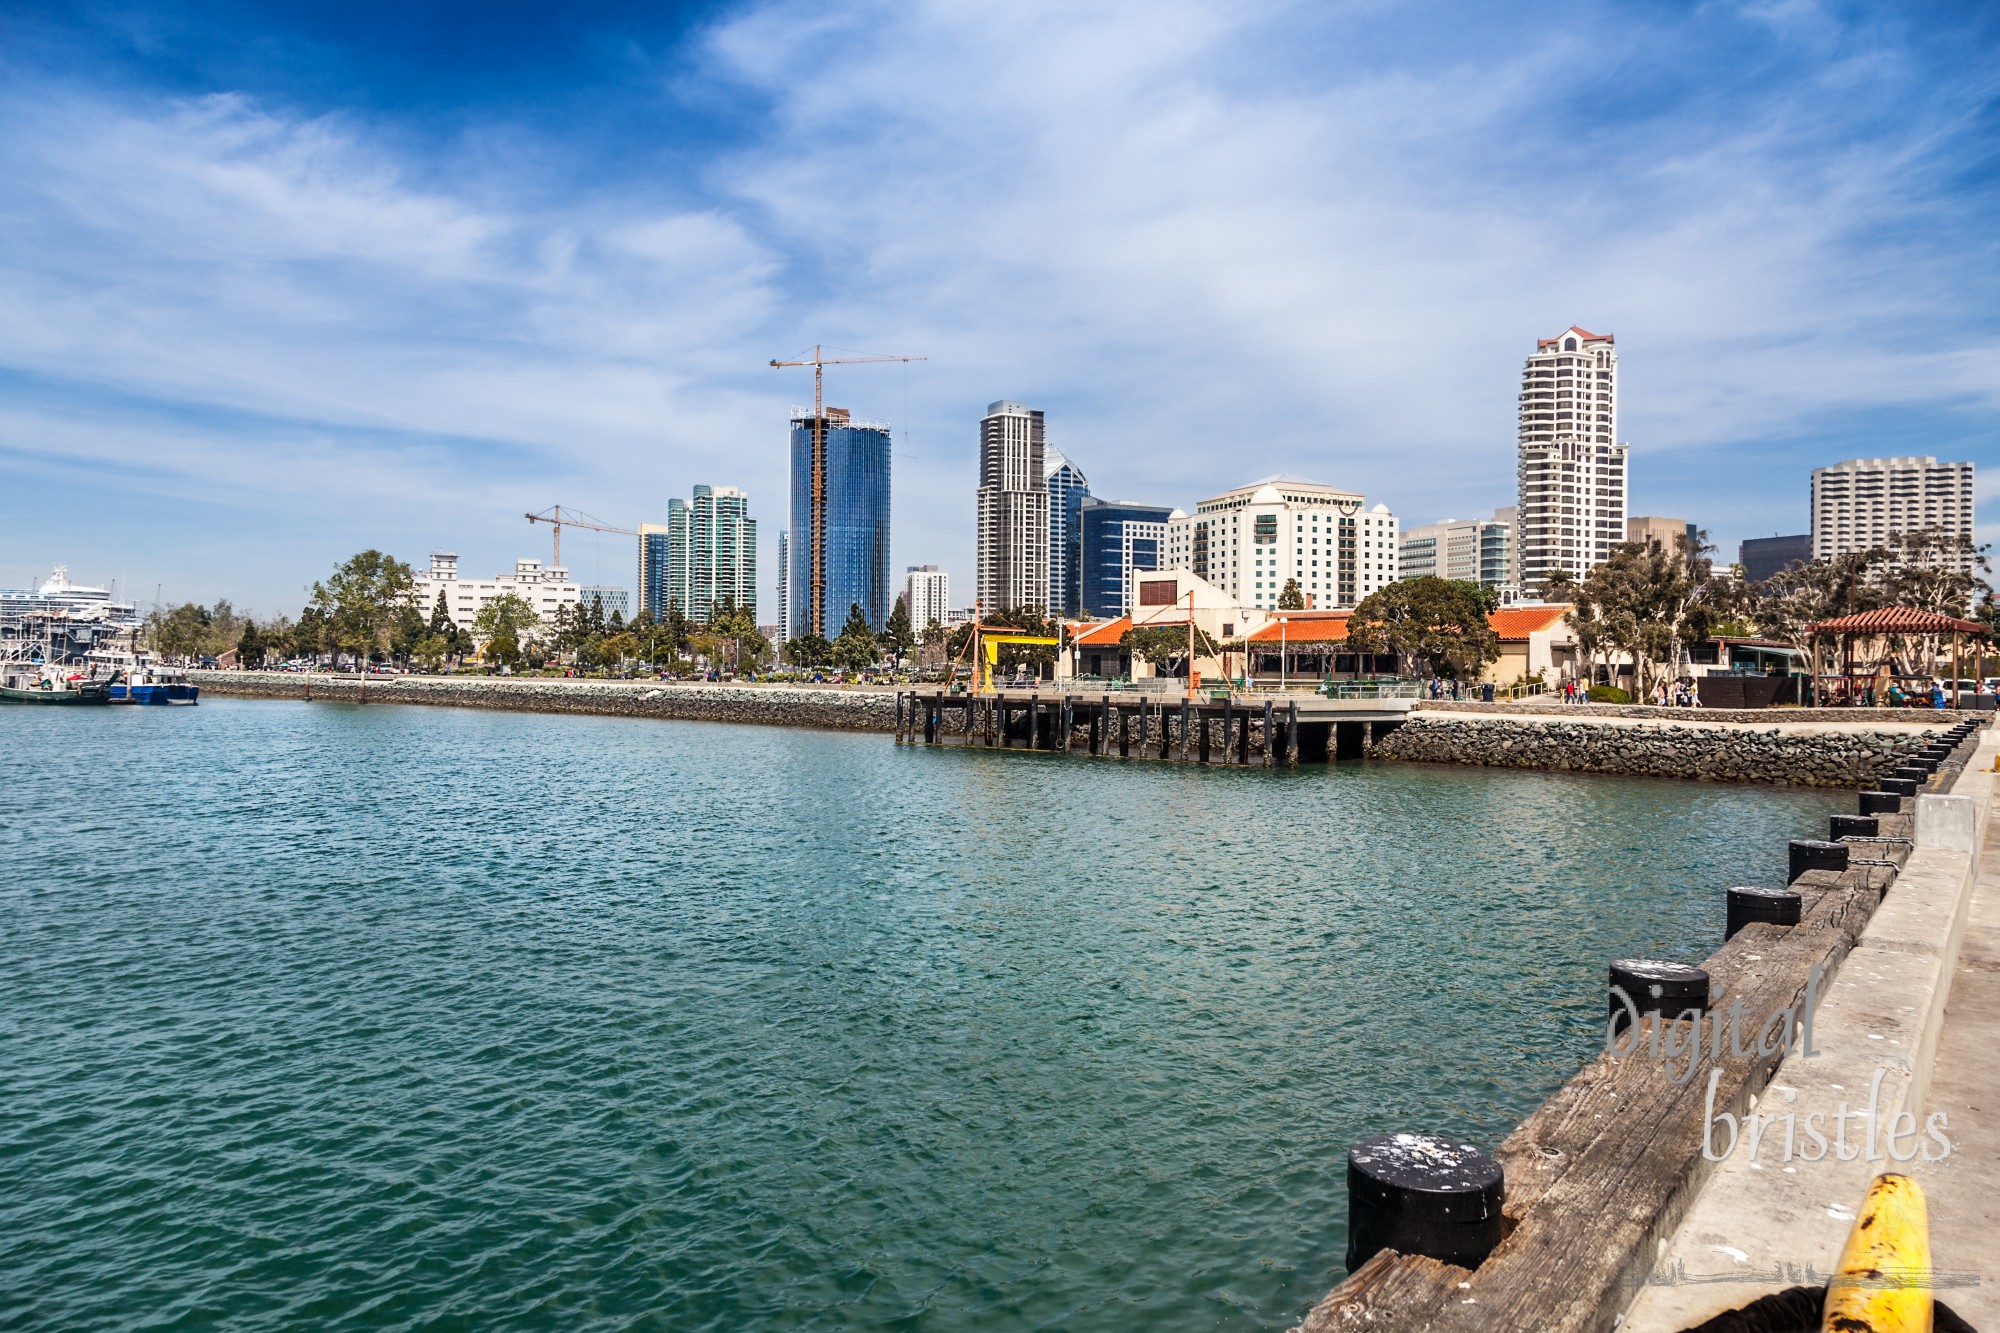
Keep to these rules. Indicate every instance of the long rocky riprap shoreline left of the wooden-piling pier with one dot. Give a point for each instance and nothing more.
(771, 706)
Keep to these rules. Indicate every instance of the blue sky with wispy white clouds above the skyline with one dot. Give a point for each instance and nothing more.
(279, 283)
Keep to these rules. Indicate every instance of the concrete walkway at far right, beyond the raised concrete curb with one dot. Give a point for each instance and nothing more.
(1965, 1084)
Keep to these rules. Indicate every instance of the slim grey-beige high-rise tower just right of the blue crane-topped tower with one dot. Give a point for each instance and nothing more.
(1013, 509)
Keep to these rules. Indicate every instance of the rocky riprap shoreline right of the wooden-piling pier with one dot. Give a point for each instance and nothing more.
(1727, 754)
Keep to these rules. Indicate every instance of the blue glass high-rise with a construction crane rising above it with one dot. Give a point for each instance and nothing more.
(839, 535)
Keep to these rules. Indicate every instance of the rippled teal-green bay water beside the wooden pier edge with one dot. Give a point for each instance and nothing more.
(317, 1016)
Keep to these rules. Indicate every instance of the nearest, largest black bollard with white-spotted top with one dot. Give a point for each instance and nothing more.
(1423, 1196)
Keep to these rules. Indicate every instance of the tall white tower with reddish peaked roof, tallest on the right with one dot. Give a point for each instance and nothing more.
(1571, 465)
